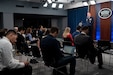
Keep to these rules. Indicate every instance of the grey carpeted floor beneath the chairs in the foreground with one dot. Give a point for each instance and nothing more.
(82, 68)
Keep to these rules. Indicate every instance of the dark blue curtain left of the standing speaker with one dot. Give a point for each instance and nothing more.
(75, 16)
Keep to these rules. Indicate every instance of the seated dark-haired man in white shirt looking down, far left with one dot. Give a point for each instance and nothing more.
(8, 64)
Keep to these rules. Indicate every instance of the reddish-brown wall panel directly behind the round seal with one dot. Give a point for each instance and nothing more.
(105, 24)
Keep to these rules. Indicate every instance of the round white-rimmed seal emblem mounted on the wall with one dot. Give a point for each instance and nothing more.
(105, 13)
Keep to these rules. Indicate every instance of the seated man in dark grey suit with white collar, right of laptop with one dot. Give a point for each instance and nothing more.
(86, 48)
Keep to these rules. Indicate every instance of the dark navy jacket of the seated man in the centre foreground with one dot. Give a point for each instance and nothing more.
(50, 48)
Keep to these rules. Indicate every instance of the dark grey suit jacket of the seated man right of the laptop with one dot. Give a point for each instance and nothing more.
(84, 45)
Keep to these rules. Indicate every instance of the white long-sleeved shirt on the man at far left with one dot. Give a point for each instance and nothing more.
(6, 55)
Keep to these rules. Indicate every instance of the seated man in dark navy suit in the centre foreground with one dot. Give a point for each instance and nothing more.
(52, 55)
